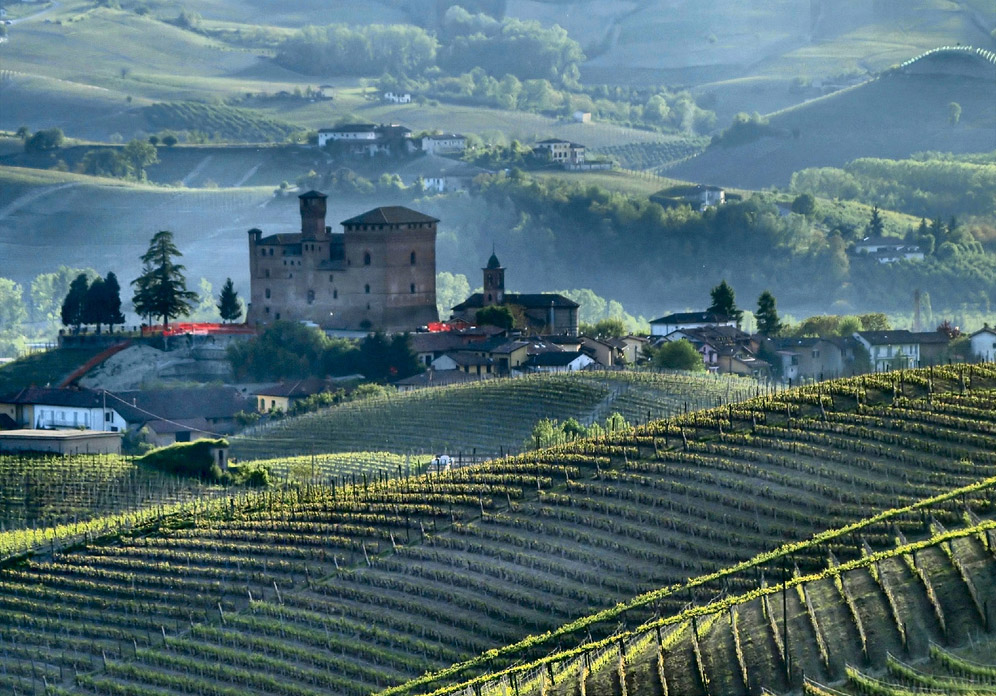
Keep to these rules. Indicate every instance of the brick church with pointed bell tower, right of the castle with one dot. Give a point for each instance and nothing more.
(544, 313)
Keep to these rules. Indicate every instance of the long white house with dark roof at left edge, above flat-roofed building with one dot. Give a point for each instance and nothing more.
(57, 409)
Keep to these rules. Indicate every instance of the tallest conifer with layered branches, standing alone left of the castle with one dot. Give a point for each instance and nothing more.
(161, 290)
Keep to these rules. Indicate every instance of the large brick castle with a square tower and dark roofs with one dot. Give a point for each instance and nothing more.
(379, 273)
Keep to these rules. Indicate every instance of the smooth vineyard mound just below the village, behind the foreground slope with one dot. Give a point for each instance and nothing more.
(485, 418)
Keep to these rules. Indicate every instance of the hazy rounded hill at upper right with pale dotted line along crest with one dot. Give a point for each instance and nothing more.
(903, 111)
